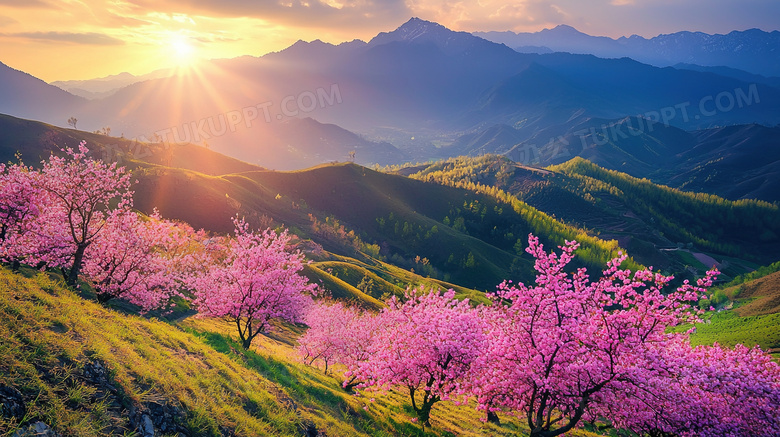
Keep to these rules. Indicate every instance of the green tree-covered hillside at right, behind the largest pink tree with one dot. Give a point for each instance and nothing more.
(675, 231)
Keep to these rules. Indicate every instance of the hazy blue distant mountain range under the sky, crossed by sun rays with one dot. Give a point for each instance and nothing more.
(405, 94)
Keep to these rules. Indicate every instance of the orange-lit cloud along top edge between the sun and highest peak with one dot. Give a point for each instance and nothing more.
(354, 14)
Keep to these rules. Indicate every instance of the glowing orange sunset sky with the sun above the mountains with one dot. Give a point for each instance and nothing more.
(84, 39)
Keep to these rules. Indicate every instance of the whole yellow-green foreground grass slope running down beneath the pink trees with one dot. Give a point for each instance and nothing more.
(50, 335)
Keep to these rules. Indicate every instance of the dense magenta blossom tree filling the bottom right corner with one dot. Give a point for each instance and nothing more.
(705, 391)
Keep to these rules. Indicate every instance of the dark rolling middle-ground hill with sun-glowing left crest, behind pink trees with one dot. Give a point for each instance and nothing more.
(381, 222)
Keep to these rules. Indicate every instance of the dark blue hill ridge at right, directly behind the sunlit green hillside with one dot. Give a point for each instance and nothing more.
(735, 162)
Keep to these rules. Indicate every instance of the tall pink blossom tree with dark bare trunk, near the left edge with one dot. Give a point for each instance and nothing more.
(87, 191)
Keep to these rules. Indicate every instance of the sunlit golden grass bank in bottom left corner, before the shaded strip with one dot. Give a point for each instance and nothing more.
(50, 334)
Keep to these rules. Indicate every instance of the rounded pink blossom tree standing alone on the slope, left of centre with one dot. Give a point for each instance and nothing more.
(253, 278)
